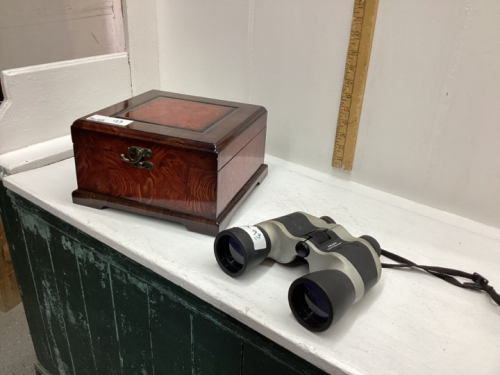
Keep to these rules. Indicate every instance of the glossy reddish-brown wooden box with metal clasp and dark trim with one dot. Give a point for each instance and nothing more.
(182, 158)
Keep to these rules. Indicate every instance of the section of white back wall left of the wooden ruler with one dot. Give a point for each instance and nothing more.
(287, 55)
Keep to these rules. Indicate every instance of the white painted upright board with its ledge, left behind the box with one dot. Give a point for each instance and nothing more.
(42, 101)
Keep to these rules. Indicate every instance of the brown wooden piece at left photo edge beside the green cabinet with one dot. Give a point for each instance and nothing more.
(9, 291)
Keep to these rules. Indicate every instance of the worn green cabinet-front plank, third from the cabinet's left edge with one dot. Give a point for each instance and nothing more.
(66, 273)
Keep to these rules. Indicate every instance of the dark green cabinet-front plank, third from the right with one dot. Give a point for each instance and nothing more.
(171, 335)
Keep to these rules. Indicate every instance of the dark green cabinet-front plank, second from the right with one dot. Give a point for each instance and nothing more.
(216, 351)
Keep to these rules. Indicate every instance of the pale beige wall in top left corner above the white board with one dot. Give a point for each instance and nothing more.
(42, 31)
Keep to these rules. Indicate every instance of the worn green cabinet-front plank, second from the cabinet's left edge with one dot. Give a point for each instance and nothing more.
(37, 237)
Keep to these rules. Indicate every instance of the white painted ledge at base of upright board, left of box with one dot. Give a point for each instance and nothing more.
(36, 156)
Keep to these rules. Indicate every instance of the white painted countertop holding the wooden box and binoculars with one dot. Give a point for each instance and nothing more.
(409, 323)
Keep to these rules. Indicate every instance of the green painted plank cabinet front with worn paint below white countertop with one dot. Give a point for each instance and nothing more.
(92, 310)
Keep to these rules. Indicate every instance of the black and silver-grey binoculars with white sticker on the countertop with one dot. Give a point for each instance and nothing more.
(342, 267)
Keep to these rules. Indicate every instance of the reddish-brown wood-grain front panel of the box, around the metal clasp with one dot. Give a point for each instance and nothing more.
(181, 180)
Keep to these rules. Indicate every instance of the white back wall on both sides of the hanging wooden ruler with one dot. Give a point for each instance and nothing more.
(430, 126)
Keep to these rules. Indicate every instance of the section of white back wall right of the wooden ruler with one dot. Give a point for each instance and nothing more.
(430, 129)
